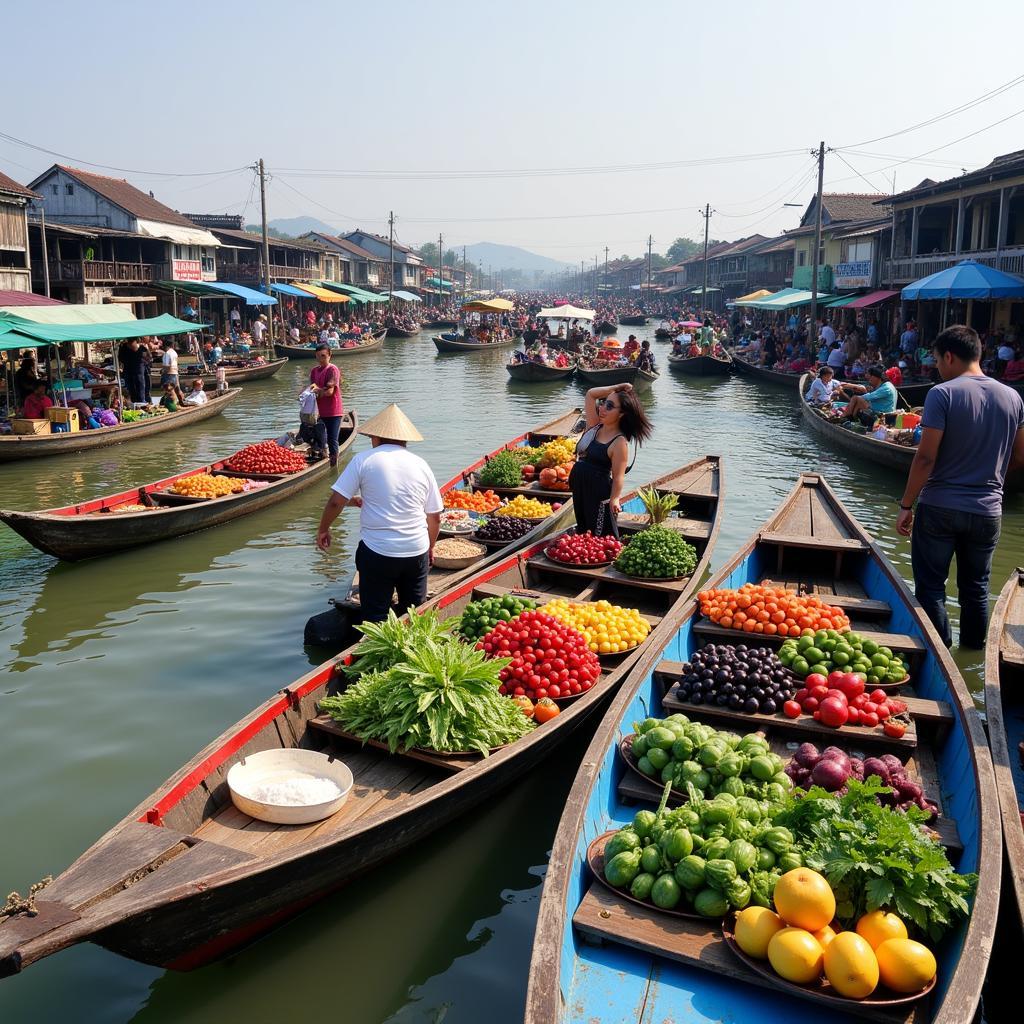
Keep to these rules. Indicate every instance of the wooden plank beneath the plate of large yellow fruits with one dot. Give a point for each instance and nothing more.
(605, 917)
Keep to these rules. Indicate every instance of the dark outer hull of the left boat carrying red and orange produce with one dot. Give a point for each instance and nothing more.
(74, 538)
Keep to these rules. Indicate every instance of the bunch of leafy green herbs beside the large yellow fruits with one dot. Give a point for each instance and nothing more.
(876, 857)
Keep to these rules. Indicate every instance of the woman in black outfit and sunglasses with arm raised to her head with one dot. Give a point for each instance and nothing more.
(615, 419)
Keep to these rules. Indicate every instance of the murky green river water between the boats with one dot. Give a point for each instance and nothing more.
(118, 670)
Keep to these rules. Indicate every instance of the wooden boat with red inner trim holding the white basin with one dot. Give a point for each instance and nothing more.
(186, 878)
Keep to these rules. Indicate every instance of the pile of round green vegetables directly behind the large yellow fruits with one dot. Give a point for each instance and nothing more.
(709, 856)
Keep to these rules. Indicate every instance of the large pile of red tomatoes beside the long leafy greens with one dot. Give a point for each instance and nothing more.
(549, 659)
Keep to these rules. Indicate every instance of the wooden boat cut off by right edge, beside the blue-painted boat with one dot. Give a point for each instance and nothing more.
(1005, 715)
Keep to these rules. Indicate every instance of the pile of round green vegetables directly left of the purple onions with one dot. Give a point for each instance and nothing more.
(678, 751)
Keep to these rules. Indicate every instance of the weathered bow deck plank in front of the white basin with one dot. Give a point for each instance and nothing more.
(134, 848)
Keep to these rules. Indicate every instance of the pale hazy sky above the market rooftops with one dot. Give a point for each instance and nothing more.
(430, 101)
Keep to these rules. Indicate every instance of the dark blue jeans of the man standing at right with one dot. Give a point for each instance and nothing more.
(938, 535)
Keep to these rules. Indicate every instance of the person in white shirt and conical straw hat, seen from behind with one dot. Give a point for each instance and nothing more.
(400, 519)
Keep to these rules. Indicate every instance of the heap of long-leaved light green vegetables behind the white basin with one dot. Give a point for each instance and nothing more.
(421, 687)
